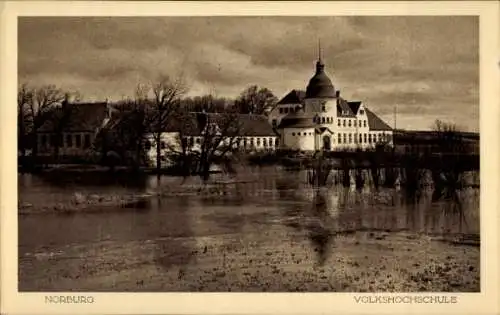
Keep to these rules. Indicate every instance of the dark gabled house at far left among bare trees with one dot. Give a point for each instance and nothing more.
(72, 128)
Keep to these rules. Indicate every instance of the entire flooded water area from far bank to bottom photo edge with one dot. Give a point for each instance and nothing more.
(266, 230)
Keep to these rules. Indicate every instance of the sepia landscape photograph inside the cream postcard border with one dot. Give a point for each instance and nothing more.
(248, 154)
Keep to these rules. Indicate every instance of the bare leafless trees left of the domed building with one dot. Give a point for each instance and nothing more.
(157, 106)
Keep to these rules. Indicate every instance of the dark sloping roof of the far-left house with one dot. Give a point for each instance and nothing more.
(77, 117)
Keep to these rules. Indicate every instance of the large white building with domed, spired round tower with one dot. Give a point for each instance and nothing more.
(320, 119)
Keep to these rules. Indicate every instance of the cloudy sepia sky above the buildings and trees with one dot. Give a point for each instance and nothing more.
(426, 66)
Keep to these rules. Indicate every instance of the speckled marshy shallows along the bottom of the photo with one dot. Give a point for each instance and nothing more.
(258, 261)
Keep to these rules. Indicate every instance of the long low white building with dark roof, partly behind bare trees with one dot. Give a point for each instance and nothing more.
(245, 132)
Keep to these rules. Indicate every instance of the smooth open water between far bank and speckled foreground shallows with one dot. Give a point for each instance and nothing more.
(266, 200)
